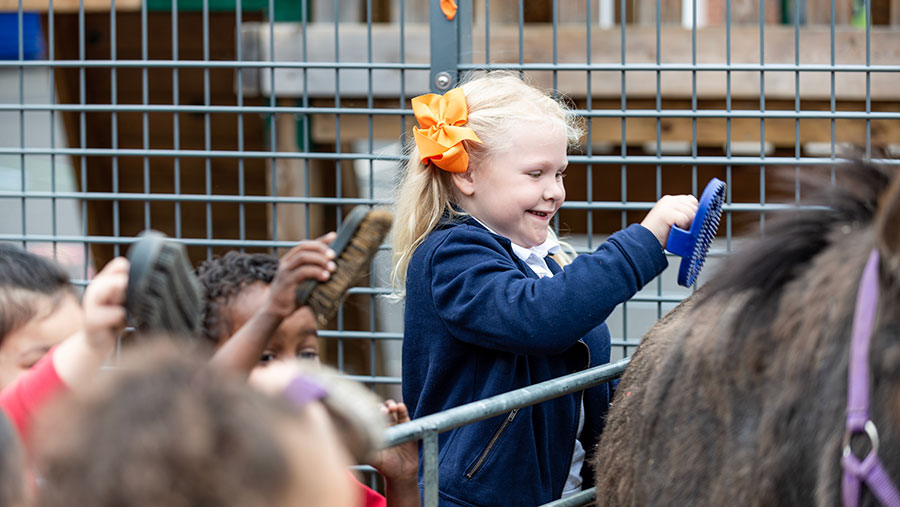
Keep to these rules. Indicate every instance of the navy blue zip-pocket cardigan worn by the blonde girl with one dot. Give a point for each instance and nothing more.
(479, 322)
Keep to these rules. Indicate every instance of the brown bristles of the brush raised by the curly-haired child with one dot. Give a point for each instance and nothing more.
(352, 263)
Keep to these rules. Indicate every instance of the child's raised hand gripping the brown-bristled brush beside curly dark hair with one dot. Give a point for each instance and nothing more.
(309, 260)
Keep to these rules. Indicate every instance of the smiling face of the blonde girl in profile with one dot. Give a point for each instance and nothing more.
(516, 192)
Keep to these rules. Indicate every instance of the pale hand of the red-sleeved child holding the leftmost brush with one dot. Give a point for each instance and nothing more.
(104, 297)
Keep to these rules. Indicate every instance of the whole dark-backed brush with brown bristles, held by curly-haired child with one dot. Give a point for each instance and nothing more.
(358, 240)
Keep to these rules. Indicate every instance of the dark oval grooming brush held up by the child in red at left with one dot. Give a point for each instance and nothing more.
(163, 294)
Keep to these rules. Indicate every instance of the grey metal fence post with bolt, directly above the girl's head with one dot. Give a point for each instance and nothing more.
(451, 44)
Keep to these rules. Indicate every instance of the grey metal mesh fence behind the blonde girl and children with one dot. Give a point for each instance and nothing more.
(254, 124)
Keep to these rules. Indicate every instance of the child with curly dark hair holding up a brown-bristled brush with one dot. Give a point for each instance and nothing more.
(250, 315)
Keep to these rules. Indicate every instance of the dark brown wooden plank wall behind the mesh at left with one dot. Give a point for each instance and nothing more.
(98, 127)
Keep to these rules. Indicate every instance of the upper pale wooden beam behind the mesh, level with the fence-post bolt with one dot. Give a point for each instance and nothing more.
(678, 48)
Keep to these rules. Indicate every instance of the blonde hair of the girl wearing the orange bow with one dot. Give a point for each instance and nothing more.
(497, 102)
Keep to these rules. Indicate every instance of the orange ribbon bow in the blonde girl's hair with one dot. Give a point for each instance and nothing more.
(441, 118)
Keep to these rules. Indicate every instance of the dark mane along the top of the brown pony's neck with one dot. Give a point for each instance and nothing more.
(793, 238)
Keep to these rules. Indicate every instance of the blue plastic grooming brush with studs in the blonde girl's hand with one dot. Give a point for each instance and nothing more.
(693, 245)
